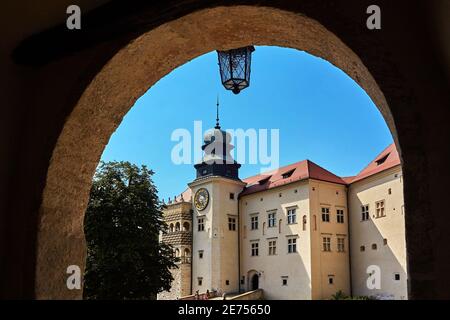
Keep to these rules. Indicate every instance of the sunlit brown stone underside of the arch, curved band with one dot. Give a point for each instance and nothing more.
(126, 77)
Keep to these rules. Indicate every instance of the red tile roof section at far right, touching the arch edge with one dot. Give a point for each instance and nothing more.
(389, 158)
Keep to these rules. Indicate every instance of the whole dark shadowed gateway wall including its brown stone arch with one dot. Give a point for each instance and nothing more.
(62, 127)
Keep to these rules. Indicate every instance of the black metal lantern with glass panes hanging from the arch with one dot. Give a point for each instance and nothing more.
(234, 68)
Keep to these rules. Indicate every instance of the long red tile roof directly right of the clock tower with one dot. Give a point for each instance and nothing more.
(302, 170)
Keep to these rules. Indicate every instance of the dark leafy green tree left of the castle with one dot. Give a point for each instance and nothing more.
(125, 259)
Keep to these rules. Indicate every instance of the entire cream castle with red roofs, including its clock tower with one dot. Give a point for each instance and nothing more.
(299, 232)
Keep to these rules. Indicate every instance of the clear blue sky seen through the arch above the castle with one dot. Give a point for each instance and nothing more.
(322, 115)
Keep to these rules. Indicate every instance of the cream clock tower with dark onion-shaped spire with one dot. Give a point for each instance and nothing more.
(215, 247)
